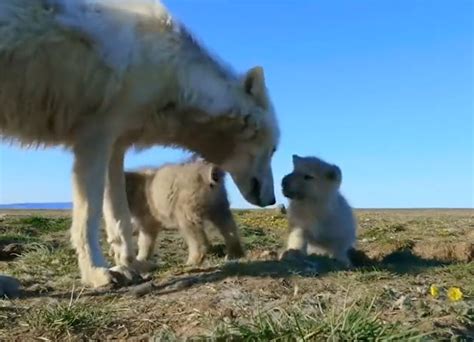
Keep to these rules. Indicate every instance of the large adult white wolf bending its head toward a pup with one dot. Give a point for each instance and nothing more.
(100, 76)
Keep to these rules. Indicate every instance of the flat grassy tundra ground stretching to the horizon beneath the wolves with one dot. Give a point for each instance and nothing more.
(256, 298)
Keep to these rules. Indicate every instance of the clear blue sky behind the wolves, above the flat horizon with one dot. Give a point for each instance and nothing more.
(384, 89)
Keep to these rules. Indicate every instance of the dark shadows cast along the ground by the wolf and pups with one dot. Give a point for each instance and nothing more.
(398, 262)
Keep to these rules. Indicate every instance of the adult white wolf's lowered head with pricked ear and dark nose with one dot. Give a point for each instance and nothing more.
(250, 163)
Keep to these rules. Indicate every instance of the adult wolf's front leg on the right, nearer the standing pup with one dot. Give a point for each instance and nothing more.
(118, 219)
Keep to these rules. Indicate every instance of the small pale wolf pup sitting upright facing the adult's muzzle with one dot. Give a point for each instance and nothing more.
(320, 218)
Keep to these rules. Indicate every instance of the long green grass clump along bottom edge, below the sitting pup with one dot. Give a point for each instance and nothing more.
(355, 323)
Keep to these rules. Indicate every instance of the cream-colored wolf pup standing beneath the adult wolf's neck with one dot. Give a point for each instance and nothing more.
(185, 196)
